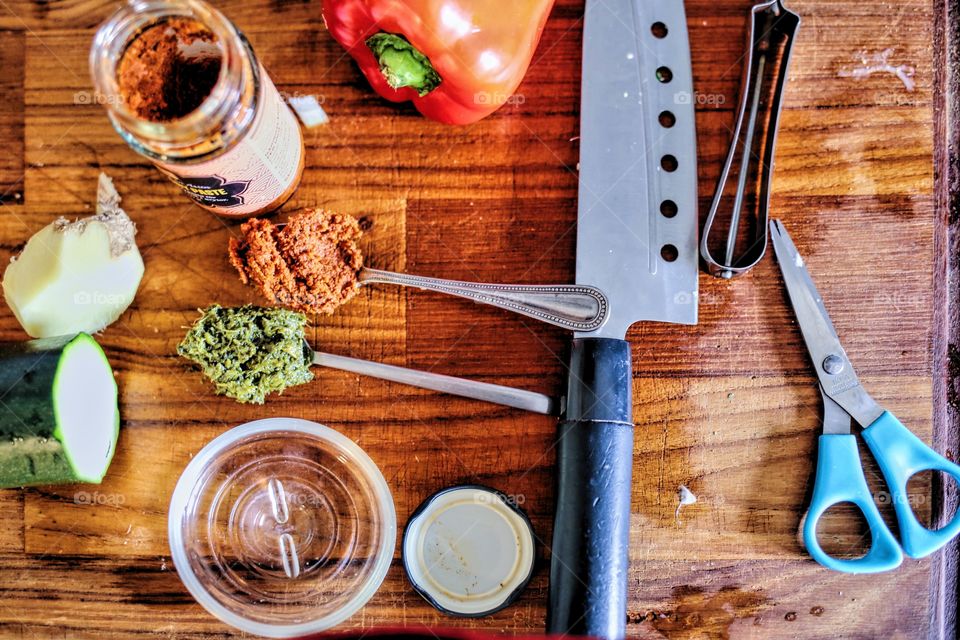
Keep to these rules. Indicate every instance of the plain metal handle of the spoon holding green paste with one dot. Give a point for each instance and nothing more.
(495, 393)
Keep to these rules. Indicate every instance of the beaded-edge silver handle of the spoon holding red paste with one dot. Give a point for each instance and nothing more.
(571, 306)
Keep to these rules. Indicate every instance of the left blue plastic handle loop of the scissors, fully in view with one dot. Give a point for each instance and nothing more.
(840, 479)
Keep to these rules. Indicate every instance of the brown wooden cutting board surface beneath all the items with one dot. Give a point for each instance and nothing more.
(727, 408)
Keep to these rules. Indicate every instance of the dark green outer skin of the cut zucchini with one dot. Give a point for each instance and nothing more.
(30, 454)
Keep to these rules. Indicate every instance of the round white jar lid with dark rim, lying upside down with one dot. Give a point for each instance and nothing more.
(469, 550)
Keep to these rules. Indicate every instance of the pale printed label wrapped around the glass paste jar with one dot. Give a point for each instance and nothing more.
(258, 172)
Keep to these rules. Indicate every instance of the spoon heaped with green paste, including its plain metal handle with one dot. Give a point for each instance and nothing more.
(249, 352)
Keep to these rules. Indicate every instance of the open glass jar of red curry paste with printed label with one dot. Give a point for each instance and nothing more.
(239, 150)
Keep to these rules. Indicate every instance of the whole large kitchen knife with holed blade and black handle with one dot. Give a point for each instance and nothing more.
(637, 242)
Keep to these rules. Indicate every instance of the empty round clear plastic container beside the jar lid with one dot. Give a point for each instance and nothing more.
(282, 527)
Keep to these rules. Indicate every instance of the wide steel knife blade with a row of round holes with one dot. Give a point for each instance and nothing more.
(637, 218)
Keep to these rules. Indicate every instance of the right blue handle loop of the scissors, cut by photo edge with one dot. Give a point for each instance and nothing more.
(901, 454)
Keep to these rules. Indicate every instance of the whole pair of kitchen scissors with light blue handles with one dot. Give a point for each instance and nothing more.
(899, 453)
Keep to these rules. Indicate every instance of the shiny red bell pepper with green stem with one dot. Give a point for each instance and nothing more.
(457, 60)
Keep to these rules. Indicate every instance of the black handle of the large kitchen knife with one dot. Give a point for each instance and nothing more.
(591, 528)
